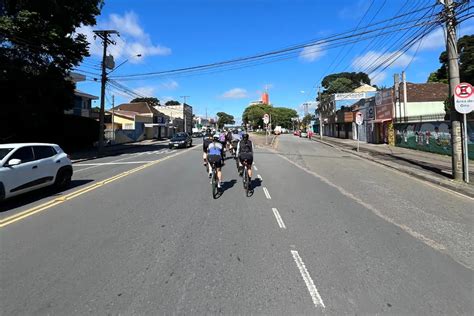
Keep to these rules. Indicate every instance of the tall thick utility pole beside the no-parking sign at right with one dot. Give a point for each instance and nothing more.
(453, 73)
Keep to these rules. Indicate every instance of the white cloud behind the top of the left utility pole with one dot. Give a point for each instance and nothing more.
(133, 39)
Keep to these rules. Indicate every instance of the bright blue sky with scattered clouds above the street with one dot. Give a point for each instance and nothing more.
(180, 33)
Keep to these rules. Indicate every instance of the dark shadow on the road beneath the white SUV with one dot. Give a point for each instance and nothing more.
(31, 197)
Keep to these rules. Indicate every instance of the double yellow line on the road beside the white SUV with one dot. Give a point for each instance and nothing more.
(59, 200)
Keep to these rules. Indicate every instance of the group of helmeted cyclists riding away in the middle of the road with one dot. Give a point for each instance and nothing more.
(236, 142)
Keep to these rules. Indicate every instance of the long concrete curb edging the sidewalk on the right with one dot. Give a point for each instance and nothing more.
(458, 188)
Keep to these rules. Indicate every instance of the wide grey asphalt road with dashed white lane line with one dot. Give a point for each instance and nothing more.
(323, 233)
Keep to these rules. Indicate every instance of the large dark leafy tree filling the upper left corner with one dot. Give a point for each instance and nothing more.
(39, 48)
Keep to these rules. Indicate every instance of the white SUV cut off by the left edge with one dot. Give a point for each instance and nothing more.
(28, 166)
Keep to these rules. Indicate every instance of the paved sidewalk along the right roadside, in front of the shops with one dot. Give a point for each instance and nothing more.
(430, 167)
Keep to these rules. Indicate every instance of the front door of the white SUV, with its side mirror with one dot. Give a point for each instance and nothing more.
(22, 177)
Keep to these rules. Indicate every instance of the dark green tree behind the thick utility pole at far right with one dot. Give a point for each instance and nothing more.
(466, 62)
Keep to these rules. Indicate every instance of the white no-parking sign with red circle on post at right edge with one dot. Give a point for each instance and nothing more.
(464, 104)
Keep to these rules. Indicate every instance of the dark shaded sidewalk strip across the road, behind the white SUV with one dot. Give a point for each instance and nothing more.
(92, 153)
